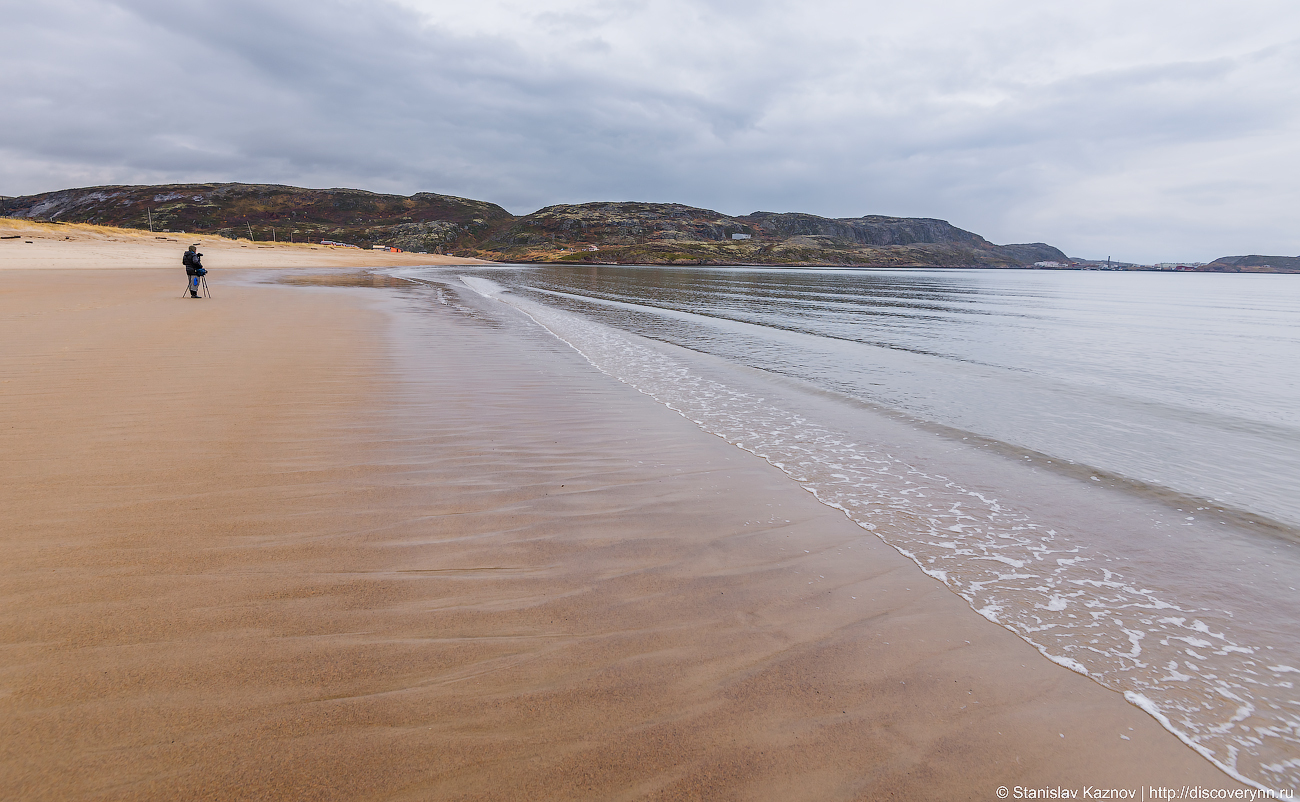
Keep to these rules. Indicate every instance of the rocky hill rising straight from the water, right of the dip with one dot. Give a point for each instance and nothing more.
(670, 233)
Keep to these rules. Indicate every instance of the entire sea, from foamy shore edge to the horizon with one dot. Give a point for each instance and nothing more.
(1178, 393)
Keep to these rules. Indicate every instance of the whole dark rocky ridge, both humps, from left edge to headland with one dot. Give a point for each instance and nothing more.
(627, 233)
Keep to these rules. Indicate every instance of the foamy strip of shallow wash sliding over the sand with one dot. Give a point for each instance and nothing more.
(1182, 665)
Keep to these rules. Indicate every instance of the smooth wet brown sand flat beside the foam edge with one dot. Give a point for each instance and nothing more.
(305, 544)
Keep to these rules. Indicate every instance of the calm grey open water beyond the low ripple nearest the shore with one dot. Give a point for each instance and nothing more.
(1180, 382)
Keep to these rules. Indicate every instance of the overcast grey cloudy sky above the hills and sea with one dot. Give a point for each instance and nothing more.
(1149, 131)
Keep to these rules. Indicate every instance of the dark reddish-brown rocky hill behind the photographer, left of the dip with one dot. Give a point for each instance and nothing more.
(259, 211)
